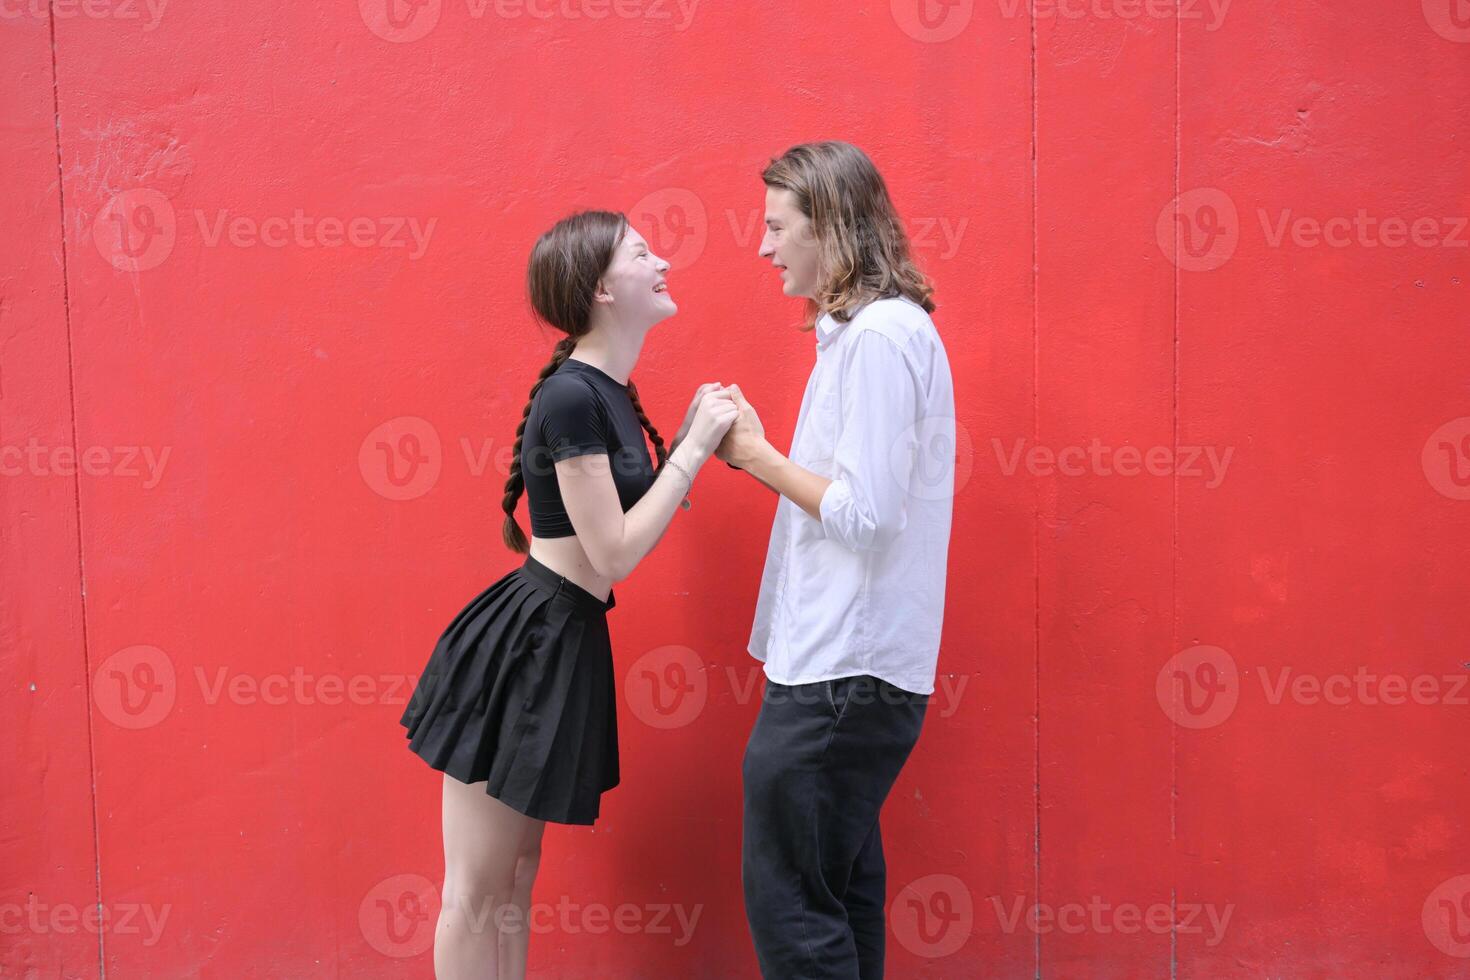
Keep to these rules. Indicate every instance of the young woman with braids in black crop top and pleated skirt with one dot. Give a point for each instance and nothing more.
(518, 705)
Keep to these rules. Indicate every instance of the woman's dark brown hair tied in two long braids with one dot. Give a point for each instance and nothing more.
(562, 277)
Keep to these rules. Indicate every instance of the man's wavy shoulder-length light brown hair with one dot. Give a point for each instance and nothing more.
(862, 248)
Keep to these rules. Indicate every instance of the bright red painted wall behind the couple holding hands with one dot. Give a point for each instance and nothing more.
(1164, 680)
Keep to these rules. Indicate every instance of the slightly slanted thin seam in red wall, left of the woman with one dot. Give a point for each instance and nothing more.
(77, 489)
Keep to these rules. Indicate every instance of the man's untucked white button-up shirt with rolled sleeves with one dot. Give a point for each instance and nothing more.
(862, 590)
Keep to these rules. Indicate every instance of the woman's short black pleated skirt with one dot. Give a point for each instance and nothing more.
(520, 694)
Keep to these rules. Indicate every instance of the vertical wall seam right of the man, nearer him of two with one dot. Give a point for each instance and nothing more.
(1036, 486)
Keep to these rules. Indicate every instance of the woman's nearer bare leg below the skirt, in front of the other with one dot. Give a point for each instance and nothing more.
(483, 841)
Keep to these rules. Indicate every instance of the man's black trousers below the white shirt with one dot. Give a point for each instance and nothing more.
(818, 768)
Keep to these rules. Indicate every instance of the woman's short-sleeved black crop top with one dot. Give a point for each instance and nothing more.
(580, 411)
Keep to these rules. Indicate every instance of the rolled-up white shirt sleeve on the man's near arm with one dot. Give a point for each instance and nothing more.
(864, 508)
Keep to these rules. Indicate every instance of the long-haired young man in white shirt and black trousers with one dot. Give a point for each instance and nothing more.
(852, 599)
